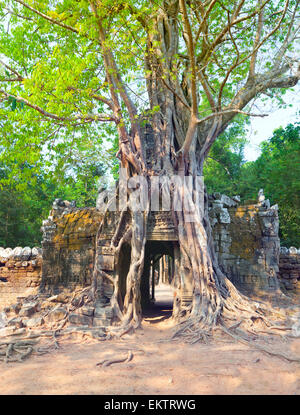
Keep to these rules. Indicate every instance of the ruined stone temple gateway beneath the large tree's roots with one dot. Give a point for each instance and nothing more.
(246, 242)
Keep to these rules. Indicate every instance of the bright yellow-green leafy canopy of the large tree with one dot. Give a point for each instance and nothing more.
(69, 67)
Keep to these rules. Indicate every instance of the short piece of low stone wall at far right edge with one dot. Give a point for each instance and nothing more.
(289, 269)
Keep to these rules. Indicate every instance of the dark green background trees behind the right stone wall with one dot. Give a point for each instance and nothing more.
(277, 171)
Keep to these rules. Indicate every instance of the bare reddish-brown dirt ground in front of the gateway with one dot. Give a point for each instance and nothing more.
(158, 367)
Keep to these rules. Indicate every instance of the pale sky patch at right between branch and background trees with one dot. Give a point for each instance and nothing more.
(262, 128)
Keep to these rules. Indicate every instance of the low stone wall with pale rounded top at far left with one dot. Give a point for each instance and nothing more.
(20, 273)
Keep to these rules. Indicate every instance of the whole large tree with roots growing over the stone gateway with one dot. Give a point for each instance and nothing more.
(188, 67)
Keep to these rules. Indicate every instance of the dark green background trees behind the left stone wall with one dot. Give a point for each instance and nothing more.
(22, 211)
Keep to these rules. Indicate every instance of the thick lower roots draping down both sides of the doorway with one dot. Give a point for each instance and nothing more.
(206, 298)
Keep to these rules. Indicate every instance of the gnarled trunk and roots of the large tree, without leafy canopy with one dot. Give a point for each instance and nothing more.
(179, 148)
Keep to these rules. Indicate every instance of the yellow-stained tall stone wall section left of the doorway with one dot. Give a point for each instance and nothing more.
(68, 246)
